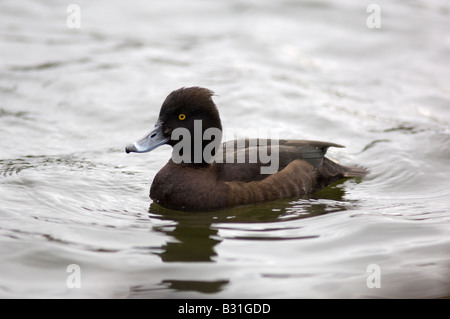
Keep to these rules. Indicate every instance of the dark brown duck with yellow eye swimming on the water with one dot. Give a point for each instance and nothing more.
(204, 174)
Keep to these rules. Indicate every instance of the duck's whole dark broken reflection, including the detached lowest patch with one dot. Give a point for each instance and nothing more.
(194, 236)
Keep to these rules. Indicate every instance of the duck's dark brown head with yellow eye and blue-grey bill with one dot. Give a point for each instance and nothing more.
(186, 113)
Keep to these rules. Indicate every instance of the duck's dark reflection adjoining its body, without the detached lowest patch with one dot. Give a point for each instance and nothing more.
(196, 233)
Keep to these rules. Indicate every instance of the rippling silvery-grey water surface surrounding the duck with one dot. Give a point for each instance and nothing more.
(72, 98)
